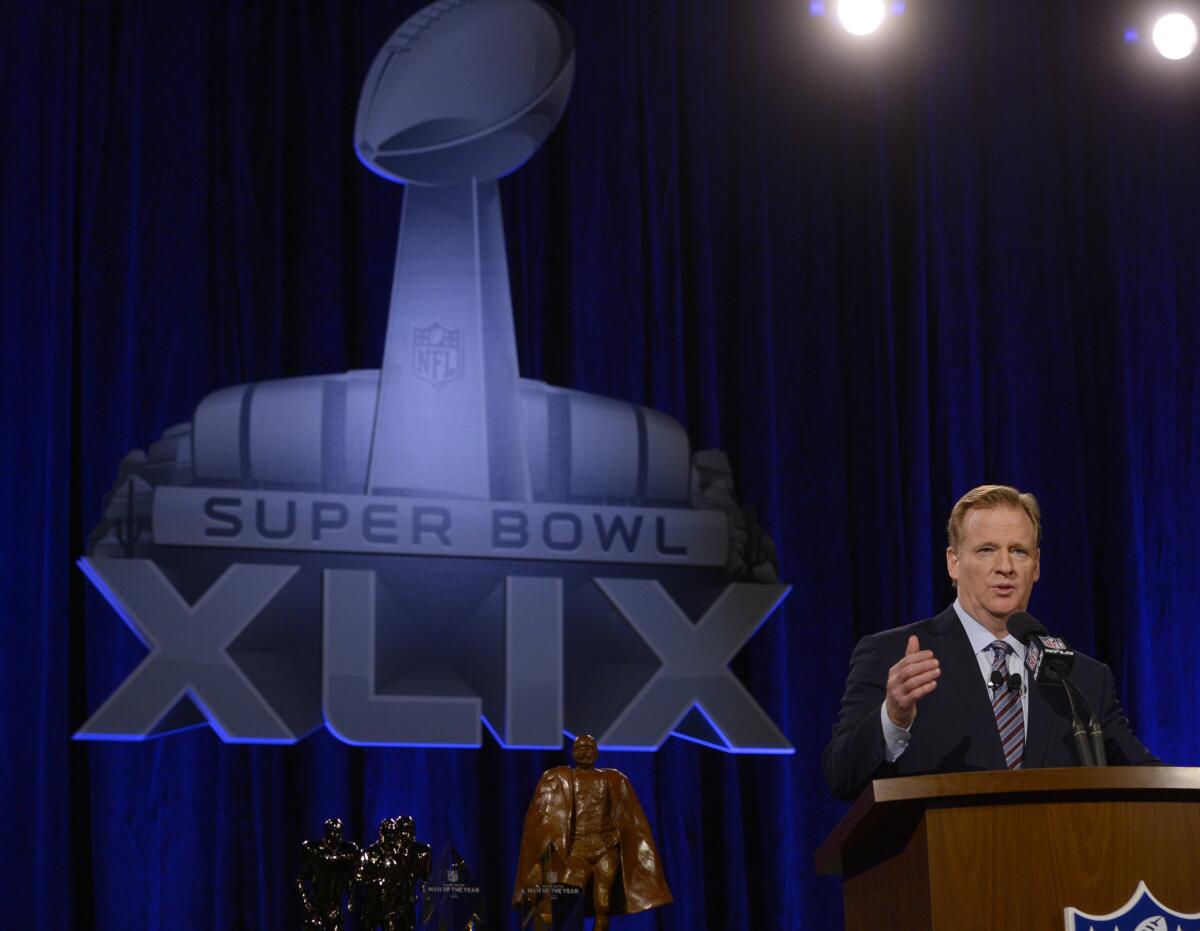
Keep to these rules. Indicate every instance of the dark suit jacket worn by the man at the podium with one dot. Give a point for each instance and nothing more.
(955, 730)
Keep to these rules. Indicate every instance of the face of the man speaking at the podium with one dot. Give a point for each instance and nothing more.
(995, 566)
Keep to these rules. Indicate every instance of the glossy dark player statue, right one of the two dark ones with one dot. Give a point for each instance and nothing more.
(388, 875)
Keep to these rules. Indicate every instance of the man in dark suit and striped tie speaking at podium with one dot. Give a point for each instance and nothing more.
(945, 668)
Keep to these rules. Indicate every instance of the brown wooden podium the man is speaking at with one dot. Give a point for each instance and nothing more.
(1012, 850)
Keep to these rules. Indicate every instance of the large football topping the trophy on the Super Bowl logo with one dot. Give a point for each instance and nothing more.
(465, 89)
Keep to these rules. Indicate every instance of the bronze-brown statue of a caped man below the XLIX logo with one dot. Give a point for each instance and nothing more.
(595, 819)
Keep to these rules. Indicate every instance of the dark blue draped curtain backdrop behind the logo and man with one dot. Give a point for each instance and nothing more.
(875, 274)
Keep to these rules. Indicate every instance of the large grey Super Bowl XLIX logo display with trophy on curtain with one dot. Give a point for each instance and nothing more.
(411, 554)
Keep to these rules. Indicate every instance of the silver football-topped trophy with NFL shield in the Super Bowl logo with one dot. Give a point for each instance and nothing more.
(448, 124)
